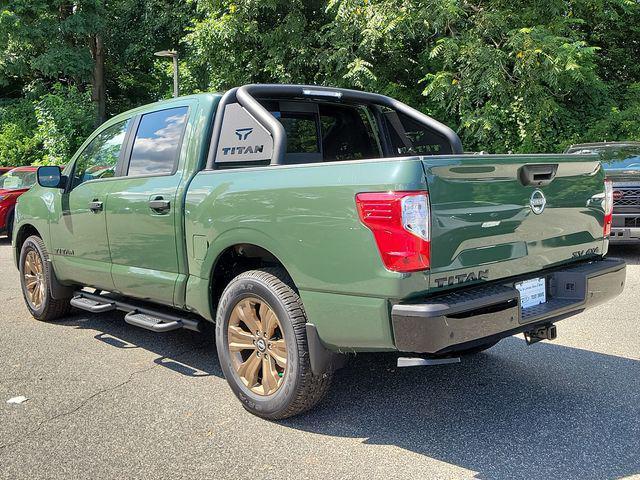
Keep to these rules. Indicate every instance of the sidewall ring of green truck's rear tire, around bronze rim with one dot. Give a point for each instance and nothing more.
(237, 290)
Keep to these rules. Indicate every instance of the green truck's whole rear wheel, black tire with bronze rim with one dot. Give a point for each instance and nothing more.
(261, 339)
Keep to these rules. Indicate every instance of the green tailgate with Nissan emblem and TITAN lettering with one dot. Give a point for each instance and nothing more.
(483, 223)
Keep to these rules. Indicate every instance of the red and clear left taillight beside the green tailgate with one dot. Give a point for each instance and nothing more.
(400, 222)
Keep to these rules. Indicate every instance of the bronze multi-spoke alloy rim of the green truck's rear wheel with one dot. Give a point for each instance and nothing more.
(257, 346)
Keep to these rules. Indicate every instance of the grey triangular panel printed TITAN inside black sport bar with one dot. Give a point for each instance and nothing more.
(242, 138)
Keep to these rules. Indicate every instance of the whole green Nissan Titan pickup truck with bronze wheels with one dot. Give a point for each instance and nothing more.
(308, 223)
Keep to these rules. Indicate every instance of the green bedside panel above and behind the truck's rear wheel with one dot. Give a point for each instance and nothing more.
(306, 216)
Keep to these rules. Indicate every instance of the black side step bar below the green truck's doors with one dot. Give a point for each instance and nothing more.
(139, 315)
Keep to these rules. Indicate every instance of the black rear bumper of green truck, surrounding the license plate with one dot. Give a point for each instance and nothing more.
(458, 320)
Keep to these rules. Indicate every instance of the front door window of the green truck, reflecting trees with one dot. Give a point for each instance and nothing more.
(100, 157)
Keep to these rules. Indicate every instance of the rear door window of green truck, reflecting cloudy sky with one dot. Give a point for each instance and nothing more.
(157, 142)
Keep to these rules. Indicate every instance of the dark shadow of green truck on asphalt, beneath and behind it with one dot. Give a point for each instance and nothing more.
(517, 412)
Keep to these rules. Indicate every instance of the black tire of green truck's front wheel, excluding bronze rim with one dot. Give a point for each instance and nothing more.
(50, 308)
